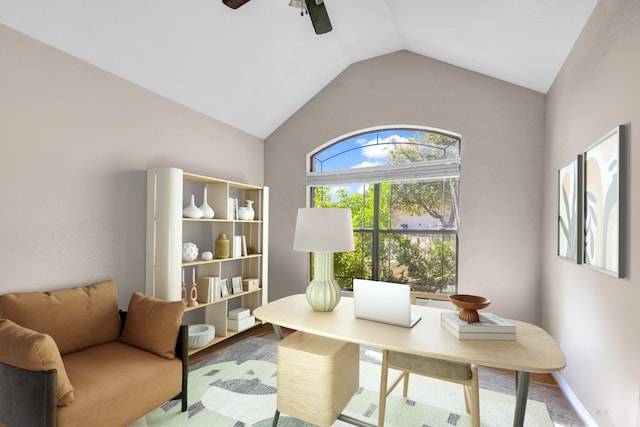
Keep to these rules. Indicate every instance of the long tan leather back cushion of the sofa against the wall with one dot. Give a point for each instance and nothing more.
(76, 318)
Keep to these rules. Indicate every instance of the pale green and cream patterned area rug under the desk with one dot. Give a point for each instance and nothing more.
(236, 387)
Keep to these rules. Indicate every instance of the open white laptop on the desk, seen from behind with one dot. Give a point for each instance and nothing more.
(383, 302)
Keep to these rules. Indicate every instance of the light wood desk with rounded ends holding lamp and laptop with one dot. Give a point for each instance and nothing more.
(533, 351)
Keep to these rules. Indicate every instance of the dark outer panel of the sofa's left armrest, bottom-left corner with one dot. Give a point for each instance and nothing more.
(27, 398)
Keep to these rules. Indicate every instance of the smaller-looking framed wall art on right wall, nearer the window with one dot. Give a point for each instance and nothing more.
(570, 210)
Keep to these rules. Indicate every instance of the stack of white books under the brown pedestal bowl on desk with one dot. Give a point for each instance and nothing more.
(490, 327)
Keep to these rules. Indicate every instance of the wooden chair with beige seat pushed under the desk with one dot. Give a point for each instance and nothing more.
(457, 372)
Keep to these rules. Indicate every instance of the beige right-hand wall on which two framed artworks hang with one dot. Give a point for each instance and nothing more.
(593, 316)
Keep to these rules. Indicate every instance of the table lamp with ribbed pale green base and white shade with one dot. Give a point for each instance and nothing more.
(323, 231)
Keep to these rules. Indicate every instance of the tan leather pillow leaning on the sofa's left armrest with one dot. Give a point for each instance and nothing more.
(27, 349)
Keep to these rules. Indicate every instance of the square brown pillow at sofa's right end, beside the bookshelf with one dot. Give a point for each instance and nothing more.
(153, 324)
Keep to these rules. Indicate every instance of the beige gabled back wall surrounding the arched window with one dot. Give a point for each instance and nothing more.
(502, 128)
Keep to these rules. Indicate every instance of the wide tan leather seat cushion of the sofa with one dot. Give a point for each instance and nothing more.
(116, 384)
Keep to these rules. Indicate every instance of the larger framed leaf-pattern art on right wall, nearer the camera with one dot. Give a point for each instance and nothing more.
(603, 169)
